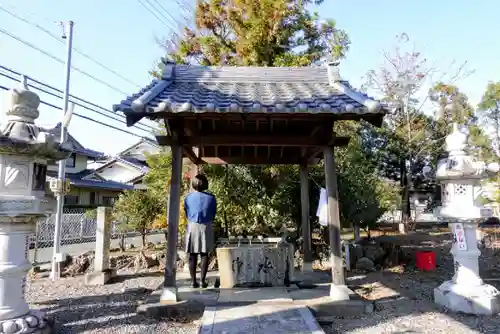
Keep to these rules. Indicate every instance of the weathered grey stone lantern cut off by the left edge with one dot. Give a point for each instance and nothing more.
(25, 150)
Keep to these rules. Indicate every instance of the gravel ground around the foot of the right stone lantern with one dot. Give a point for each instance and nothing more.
(416, 312)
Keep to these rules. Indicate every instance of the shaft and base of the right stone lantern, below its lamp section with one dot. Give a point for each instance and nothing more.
(466, 292)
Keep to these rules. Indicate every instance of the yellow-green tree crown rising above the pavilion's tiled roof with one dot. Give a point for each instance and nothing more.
(258, 33)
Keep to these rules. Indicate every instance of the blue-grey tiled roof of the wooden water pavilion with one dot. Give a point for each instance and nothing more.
(198, 89)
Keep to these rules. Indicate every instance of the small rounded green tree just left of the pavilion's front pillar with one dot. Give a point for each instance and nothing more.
(136, 210)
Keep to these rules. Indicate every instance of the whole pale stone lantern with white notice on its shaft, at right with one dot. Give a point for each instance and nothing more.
(460, 176)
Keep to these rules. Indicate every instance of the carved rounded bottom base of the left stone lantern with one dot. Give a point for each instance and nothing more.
(33, 322)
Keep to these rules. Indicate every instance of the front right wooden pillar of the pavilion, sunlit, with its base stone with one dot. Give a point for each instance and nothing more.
(338, 289)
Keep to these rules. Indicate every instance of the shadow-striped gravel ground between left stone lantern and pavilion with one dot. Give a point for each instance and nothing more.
(77, 308)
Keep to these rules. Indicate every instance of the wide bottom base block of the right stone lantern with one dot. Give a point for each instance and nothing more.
(480, 299)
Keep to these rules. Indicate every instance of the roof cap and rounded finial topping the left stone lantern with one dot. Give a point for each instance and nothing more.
(20, 135)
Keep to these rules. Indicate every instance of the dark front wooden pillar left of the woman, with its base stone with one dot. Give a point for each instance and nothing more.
(169, 285)
